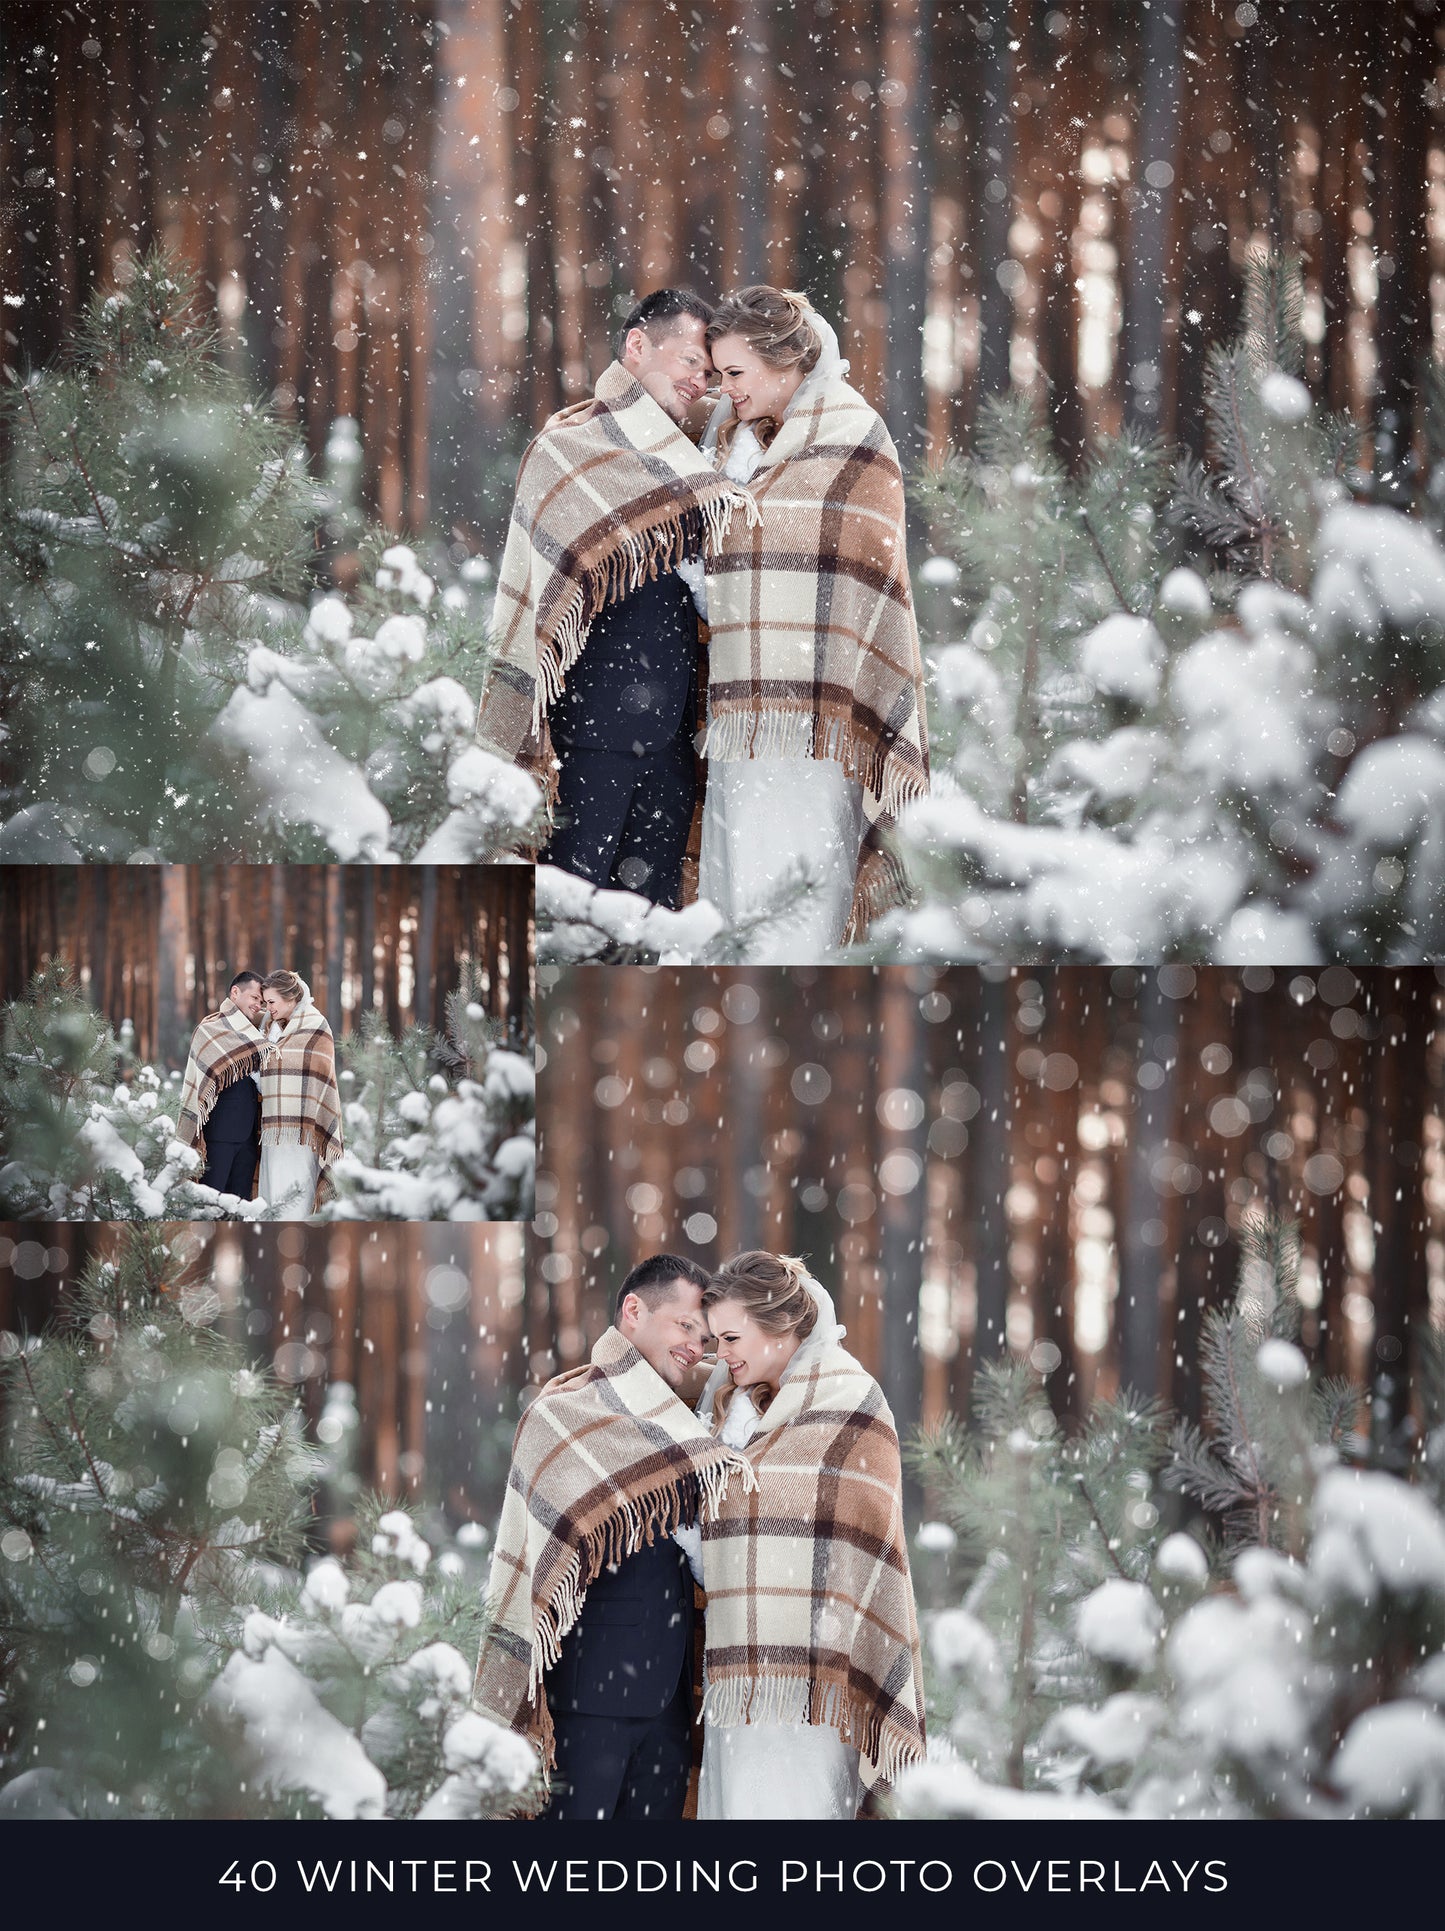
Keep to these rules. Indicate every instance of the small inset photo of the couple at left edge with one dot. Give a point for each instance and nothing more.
(268, 1044)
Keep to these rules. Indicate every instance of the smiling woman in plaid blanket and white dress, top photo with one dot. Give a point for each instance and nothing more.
(816, 677)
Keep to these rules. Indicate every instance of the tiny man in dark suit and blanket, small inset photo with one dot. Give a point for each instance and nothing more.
(221, 1102)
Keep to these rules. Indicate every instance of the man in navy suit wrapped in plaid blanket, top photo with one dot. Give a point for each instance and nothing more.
(594, 686)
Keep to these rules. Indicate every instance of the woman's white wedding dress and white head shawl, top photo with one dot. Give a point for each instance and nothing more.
(770, 818)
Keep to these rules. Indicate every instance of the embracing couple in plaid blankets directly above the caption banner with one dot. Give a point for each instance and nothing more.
(779, 1496)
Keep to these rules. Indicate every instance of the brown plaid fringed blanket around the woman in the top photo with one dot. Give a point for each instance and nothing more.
(814, 642)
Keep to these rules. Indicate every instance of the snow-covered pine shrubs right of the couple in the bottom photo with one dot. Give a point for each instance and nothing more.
(1305, 1681)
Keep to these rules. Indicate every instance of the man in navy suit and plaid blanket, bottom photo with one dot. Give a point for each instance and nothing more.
(617, 1700)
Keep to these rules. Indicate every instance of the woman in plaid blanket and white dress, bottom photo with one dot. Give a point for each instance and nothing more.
(814, 1687)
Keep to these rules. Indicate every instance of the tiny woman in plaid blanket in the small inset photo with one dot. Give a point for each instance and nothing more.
(300, 1100)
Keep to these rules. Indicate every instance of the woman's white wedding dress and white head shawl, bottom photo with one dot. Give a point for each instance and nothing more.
(774, 1770)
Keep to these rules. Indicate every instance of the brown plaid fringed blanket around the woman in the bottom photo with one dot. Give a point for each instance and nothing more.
(808, 1573)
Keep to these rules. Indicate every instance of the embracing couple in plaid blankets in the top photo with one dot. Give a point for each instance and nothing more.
(783, 534)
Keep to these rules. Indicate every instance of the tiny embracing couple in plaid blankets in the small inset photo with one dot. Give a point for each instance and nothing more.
(262, 1090)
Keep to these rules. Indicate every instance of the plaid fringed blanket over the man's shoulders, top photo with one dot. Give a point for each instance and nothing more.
(608, 495)
